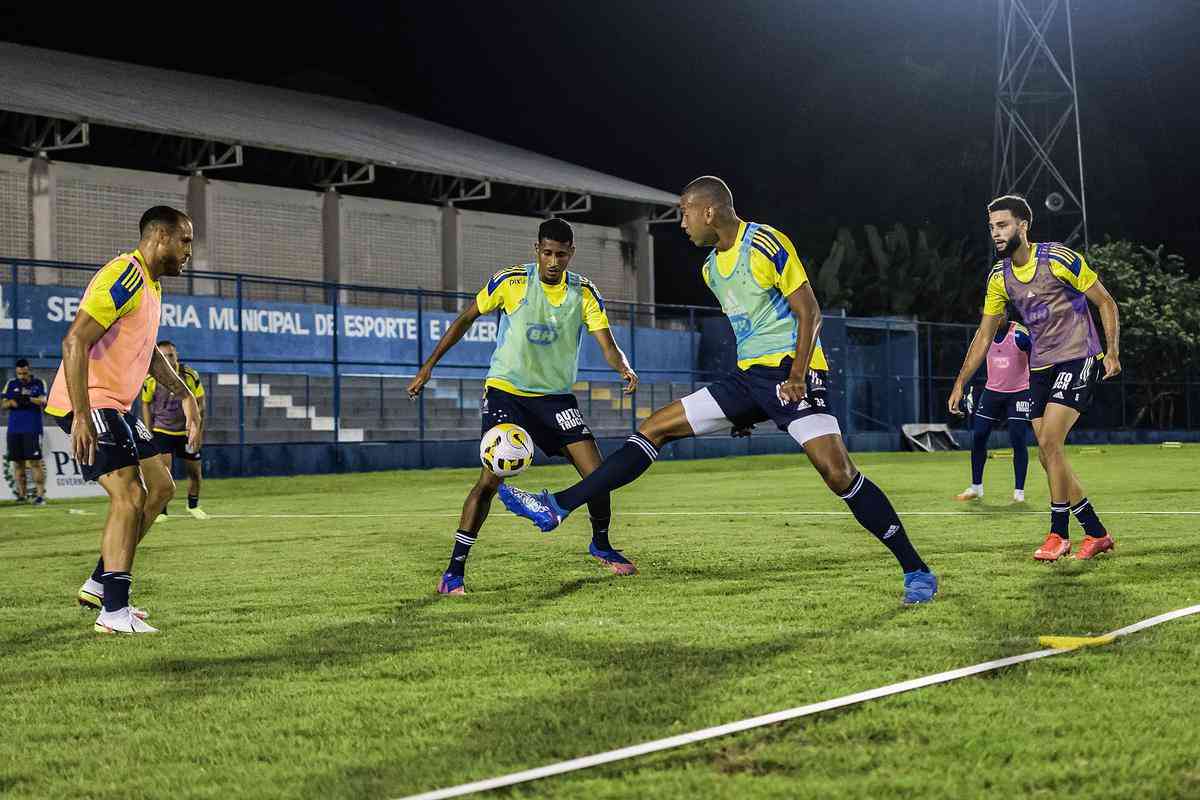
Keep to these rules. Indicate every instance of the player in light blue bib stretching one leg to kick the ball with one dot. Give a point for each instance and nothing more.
(782, 376)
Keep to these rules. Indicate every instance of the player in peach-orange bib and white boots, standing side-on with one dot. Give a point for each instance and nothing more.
(107, 352)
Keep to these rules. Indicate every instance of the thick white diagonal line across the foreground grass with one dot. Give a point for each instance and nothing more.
(771, 719)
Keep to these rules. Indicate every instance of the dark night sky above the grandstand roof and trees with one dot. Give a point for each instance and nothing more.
(819, 115)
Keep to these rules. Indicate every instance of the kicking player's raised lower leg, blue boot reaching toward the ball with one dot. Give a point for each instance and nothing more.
(623, 467)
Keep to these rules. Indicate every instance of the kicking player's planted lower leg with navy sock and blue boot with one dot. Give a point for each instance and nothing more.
(874, 512)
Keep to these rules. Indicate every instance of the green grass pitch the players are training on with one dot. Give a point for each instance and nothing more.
(308, 657)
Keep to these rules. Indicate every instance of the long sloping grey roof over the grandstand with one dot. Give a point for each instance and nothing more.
(86, 91)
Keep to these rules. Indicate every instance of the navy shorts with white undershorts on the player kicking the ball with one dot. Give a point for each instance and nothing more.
(746, 398)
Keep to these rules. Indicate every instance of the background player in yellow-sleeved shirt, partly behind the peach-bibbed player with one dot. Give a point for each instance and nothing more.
(163, 412)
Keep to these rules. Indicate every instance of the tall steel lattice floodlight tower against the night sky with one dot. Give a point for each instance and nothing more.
(1039, 149)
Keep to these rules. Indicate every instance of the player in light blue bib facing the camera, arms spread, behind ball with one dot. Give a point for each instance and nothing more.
(529, 383)
